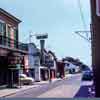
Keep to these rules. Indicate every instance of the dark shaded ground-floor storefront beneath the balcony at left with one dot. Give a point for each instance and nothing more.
(8, 63)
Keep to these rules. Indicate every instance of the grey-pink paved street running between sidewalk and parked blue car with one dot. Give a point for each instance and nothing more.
(66, 88)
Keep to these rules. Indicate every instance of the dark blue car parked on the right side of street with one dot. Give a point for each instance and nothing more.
(87, 75)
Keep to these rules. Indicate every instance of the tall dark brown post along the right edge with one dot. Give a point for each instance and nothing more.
(95, 26)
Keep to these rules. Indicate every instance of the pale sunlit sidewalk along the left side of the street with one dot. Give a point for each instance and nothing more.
(10, 91)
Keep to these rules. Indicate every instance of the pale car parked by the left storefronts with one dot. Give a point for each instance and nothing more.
(25, 80)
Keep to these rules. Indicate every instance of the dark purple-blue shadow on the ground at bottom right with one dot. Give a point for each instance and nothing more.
(83, 92)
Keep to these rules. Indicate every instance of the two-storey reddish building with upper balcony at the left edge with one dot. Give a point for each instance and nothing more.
(11, 50)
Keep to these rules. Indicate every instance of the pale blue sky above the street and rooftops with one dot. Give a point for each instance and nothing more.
(59, 18)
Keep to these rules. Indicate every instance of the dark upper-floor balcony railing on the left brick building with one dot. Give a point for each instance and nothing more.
(12, 44)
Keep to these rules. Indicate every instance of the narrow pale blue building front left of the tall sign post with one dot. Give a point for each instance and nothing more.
(34, 61)
